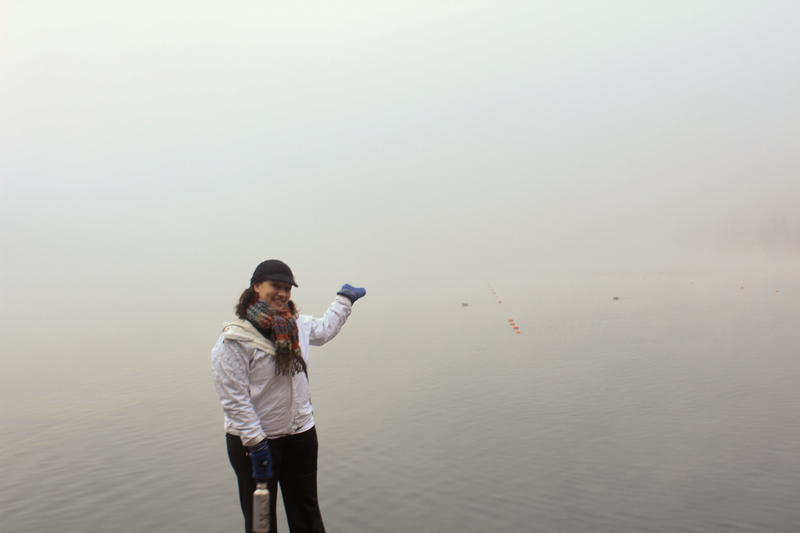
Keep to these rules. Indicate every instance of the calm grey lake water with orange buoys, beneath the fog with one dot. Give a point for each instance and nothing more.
(674, 408)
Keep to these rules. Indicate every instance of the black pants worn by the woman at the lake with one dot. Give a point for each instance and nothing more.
(294, 466)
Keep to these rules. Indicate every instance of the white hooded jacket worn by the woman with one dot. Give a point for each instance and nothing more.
(256, 402)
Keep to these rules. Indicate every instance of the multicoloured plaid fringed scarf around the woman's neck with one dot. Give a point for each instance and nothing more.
(288, 357)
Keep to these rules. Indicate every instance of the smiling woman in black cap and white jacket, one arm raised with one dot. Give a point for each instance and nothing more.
(260, 367)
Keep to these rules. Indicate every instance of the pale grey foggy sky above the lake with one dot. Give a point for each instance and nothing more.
(157, 151)
